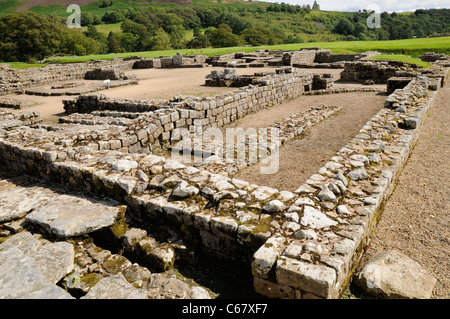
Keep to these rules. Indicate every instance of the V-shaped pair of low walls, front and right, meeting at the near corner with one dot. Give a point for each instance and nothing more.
(302, 245)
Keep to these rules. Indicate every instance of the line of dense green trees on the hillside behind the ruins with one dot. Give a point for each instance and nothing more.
(28, 36)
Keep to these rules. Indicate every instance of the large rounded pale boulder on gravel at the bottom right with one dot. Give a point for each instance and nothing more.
(391, 274)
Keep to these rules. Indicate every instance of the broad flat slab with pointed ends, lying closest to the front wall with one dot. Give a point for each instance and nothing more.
(69, 216)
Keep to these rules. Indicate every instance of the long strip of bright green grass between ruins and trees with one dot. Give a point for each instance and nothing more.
(412, 47)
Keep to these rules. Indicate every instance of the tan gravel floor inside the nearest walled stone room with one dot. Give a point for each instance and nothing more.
(300, 158)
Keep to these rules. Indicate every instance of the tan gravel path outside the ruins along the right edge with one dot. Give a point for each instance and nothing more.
(416, 220)
